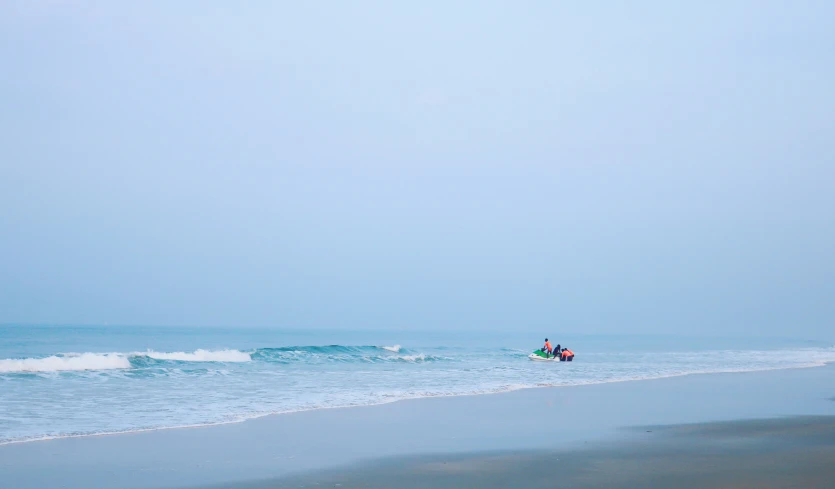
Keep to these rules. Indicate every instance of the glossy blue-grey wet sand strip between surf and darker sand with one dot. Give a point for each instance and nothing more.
(312, 442)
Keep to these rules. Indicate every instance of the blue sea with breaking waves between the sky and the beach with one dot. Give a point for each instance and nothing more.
(76, 381)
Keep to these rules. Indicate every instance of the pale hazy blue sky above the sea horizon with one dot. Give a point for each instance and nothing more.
(597, 167)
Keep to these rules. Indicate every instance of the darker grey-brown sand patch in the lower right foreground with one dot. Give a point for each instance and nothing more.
(779, 453)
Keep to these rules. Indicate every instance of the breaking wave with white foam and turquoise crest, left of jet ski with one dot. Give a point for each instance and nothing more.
(67, 362)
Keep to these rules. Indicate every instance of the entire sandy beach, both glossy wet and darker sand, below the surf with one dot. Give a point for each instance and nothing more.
(728, 430)
